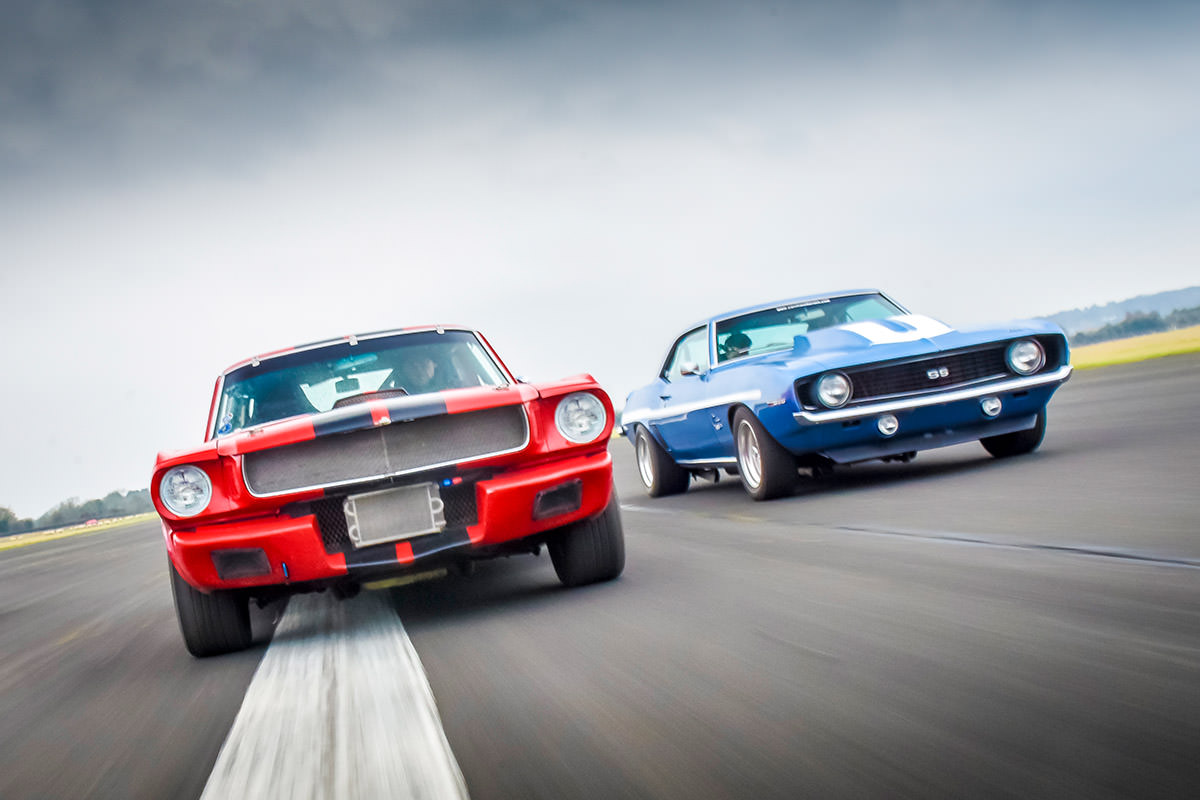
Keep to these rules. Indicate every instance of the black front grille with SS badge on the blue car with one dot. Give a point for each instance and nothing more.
(937, 372)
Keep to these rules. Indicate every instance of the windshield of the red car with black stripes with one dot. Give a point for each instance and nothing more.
(326, 377)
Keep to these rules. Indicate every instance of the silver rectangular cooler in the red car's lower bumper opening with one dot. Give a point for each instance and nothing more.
(393, 515)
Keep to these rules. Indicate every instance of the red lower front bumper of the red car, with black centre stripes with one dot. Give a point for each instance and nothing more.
(296, 554)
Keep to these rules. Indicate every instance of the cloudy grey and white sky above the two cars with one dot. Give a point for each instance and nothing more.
(184, 185)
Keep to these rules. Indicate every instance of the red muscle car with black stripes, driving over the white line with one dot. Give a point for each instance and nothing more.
(352, 460)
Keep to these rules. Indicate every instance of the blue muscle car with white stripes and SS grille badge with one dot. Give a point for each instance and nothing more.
(836, 380)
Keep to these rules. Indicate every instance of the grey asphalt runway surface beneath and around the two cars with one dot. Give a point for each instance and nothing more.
(959, 627)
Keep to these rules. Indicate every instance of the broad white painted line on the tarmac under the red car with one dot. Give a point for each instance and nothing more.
(340, 708)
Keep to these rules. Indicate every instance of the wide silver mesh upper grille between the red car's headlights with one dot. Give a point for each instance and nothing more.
(388, 450)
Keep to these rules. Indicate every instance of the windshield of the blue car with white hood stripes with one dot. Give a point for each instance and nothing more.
(776, 329)
